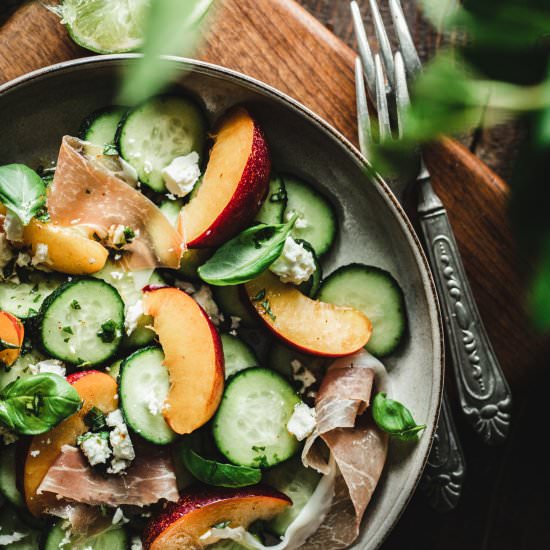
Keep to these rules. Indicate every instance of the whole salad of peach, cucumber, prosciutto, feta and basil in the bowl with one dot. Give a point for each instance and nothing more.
(175, 370)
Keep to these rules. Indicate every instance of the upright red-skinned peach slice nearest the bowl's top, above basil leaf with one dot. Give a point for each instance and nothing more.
(234, 185)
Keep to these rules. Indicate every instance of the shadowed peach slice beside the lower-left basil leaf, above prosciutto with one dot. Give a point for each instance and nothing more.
(96, 389)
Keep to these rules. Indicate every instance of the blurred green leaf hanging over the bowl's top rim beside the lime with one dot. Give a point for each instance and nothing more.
(174, 27)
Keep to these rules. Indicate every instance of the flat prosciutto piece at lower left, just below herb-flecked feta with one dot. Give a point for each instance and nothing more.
(150, 478)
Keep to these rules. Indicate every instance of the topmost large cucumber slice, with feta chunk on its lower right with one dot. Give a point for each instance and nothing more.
(158, 131)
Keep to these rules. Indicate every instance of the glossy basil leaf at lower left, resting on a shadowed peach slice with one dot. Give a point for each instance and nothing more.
(34, 405)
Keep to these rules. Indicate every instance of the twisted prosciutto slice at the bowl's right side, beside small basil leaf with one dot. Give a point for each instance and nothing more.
(356, 444)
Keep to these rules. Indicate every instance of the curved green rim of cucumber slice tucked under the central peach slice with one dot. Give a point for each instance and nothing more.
(159, 432)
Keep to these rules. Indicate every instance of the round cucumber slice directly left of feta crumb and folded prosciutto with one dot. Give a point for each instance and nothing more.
(230, 438)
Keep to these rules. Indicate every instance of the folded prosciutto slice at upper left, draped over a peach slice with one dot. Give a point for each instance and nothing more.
(86, 193)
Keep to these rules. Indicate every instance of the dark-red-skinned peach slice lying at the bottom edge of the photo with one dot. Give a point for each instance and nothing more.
(182, 523)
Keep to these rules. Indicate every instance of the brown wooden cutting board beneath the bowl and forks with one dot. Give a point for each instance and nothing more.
(279, 43)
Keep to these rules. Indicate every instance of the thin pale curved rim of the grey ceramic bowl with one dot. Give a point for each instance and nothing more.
(438, 372)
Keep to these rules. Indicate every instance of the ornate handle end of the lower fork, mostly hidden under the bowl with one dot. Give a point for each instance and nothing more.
(445, 470)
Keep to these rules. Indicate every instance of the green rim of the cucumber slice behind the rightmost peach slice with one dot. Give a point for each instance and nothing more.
(400, 313)
